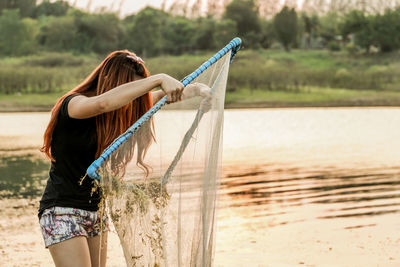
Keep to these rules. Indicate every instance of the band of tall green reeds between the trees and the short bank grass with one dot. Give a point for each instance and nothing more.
(262, 69)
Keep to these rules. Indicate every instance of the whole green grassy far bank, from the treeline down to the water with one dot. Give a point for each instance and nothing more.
(256, 78)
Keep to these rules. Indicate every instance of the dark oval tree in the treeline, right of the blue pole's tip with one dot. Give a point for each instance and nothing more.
(285, 24)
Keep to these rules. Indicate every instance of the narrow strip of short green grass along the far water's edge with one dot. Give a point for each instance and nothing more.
(308, 97)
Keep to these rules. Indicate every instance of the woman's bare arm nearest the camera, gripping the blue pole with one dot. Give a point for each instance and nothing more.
(82, 107)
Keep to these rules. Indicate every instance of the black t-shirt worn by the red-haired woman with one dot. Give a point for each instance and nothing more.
(73, 146)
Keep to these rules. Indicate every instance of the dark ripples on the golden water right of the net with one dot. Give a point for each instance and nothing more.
(333, 193)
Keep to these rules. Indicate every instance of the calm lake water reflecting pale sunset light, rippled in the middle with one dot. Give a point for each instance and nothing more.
(309, 186)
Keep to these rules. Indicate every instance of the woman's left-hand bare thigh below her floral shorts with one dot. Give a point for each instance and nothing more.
(73, 252)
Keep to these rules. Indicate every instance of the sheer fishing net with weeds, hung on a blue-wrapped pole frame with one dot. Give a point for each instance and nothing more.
(160, 190)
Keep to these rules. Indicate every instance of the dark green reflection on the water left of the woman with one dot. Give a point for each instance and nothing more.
(22, 175)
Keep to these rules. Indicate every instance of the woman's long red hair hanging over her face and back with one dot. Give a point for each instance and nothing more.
(117, 68)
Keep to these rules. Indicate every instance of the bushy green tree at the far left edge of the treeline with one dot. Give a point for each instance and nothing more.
(17, 37)
